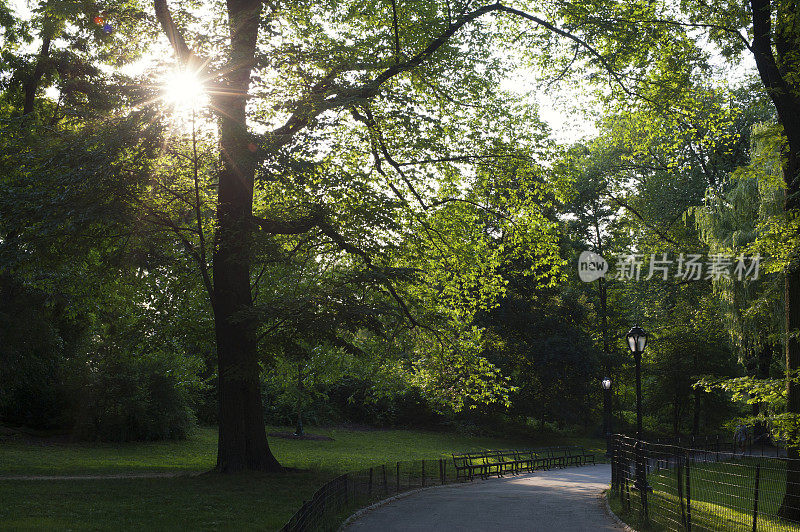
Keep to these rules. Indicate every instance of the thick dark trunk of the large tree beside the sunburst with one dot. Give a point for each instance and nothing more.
(242, 434)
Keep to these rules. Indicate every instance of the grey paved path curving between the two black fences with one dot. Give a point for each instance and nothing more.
(557, 500)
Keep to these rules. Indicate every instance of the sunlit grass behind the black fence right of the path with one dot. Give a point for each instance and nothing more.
(722, 498)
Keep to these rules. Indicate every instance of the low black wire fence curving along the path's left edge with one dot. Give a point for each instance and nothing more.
(338, 498)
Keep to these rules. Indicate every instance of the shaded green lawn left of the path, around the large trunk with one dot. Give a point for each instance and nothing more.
(208, 501)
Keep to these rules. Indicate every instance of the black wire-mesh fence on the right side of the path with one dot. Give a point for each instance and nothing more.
(663, 486)
